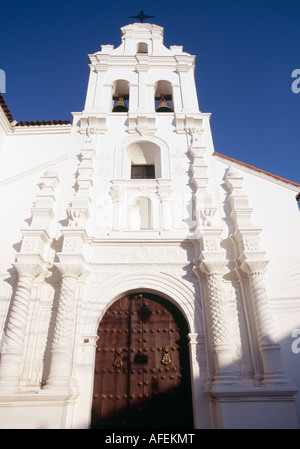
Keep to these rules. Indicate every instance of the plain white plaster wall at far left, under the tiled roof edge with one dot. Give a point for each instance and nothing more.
(23, 161)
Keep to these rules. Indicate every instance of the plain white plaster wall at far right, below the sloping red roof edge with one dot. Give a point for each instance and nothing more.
(276, 211)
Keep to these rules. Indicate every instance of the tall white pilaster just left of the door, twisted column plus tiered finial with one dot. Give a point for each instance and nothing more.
(71, 266)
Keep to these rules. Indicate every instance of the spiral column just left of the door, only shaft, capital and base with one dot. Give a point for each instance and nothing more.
(62, 346)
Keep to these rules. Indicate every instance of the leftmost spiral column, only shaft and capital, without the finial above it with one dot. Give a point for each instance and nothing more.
(12, 355)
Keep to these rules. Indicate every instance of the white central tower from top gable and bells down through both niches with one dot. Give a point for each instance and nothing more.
(142, 107)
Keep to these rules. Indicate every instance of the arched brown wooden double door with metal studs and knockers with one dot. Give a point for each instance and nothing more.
(142, 375)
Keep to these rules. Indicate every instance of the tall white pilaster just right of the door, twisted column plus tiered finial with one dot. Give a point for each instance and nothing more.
(211, 261)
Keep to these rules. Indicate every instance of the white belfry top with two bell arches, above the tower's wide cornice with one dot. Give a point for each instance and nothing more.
(141, 70)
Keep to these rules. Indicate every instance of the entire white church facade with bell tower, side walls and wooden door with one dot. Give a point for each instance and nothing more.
(144, 275)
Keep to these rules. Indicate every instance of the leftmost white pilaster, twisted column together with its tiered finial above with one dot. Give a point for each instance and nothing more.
(30, 263)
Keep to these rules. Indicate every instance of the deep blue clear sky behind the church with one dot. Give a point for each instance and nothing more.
(246, 51)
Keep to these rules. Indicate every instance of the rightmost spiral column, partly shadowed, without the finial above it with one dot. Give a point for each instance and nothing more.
(269, 349)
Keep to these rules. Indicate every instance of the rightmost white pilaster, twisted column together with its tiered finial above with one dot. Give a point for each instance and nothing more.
(252, 262)
